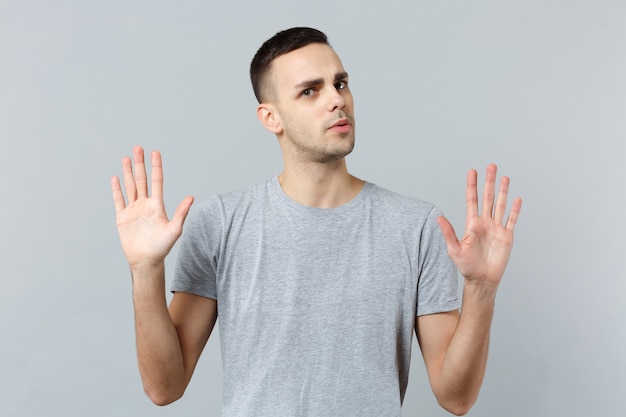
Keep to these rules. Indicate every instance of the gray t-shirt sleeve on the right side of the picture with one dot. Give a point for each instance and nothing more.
(438, 282)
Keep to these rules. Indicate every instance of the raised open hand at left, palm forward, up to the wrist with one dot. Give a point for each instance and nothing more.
(146, 233)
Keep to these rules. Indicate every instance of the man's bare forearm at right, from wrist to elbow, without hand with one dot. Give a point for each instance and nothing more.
(465, 361)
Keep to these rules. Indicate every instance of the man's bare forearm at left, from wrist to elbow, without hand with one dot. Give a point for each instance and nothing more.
(158, 347)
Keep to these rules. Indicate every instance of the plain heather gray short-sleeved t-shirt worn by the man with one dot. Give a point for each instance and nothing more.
(316, 306)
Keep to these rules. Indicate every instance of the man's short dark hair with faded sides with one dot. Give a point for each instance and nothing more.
(283, 42)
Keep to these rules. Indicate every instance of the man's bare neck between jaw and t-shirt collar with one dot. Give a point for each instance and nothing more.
(320, 185)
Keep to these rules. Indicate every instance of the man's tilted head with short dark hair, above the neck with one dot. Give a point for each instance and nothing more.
(304, 97)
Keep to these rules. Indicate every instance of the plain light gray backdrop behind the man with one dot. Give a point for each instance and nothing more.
(440, 87)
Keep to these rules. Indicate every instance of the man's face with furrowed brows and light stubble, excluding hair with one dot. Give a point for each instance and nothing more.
(314, 105)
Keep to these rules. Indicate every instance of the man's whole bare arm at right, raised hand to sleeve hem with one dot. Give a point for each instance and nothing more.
(454, 345)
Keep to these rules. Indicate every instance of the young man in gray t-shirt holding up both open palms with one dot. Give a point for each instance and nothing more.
(320, 278)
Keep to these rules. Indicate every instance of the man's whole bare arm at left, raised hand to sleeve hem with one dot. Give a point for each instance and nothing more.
(169, 343)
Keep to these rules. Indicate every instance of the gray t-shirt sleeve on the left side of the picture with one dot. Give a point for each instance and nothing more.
(196, 266)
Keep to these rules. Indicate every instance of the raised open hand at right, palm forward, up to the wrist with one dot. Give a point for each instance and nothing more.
(483, 253)
